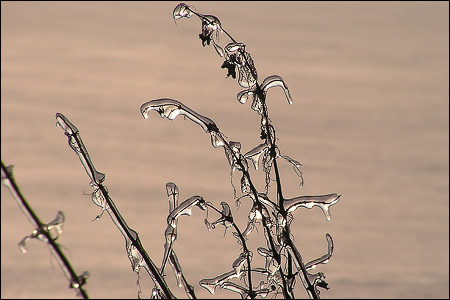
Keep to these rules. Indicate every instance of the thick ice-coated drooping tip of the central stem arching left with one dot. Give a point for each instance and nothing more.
(171, 108)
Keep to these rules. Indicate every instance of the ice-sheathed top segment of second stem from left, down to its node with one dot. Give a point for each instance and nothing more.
(77, 145)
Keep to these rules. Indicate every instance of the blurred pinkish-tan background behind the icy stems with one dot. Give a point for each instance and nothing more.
(370, 121)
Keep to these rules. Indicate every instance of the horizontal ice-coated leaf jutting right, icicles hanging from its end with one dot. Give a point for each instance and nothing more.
(322, 201)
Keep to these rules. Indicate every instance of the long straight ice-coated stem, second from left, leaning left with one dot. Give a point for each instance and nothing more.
(131, 236)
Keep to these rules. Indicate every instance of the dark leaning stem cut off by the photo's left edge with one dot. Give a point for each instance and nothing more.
(76, 281)
